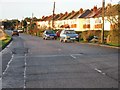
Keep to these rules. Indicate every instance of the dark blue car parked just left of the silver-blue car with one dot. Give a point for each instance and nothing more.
(49, 34)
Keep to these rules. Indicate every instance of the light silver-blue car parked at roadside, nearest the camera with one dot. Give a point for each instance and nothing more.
(68, 36)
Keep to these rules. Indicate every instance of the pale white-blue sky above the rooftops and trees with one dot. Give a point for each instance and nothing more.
(20, 9)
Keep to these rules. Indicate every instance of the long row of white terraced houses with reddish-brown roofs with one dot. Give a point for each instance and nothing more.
(82, 20)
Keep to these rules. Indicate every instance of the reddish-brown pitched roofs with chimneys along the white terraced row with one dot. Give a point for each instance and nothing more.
(95, 12)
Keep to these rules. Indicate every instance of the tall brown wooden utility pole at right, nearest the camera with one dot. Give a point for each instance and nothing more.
(103, 15)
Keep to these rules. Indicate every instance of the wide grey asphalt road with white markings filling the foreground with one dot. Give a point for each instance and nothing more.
(30, 62)
